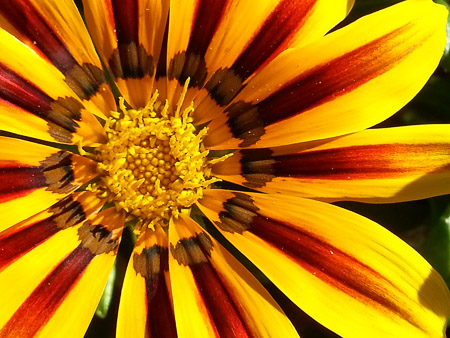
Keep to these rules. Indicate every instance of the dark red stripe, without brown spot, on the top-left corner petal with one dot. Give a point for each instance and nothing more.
(27, 20)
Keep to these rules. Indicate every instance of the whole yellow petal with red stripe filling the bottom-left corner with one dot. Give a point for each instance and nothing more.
(66, 274)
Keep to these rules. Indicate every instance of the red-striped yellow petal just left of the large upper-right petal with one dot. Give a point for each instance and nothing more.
(237, 52)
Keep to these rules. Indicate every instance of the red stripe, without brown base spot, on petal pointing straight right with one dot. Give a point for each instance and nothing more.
(357, 162)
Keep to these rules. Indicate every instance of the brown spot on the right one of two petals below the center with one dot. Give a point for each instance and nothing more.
(193, 250)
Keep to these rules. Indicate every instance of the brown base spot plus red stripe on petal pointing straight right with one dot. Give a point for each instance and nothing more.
(344, 163)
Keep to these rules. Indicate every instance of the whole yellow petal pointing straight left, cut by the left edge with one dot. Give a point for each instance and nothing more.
(34, 177)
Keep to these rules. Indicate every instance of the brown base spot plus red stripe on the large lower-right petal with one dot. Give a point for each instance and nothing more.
(318, 256)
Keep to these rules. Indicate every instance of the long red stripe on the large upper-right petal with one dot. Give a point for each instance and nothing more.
(333, 79)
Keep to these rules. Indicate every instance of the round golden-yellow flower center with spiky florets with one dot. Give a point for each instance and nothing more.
(154, 163)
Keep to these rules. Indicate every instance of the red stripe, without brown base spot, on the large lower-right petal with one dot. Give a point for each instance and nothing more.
(328, 263)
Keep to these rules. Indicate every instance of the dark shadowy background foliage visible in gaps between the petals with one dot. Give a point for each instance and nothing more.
(424, 224)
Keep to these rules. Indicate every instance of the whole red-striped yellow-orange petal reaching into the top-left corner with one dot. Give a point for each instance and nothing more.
(55, 30)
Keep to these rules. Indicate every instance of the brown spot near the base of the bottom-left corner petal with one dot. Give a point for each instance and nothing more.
(97, 238)
